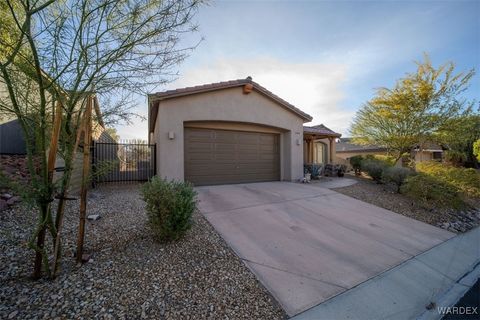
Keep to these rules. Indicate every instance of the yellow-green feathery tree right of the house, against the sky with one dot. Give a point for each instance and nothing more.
(411, 112)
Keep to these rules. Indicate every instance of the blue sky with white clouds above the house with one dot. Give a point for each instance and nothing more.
(325, 57)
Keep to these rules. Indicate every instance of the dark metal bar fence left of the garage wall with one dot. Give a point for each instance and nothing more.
(123, 162)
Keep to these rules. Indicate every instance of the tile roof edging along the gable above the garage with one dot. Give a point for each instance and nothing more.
(155, 98)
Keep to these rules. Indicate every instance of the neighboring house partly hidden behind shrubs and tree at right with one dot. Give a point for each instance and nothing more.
(347, 149)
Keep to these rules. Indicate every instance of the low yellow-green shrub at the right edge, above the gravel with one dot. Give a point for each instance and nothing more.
(466, 181)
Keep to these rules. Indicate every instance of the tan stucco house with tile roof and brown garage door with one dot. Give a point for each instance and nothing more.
(233, 132)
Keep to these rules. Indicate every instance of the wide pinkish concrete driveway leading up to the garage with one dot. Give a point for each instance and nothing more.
(307, 244)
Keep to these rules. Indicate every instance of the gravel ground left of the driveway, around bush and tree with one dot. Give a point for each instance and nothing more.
(130, 275)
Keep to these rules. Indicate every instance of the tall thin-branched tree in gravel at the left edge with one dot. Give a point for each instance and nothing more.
(59, 52)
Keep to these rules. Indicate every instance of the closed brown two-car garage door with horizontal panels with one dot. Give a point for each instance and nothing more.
(224, 156)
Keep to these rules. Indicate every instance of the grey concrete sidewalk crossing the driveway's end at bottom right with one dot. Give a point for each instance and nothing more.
(438, 275)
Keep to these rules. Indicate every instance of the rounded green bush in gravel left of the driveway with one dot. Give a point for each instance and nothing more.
(170, 205)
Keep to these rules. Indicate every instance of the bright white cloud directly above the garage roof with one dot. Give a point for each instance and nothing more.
(316, 88)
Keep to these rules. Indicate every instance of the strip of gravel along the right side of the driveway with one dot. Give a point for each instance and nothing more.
(386, 197)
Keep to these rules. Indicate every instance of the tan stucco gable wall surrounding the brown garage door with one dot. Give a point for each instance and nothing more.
(230, 105)
